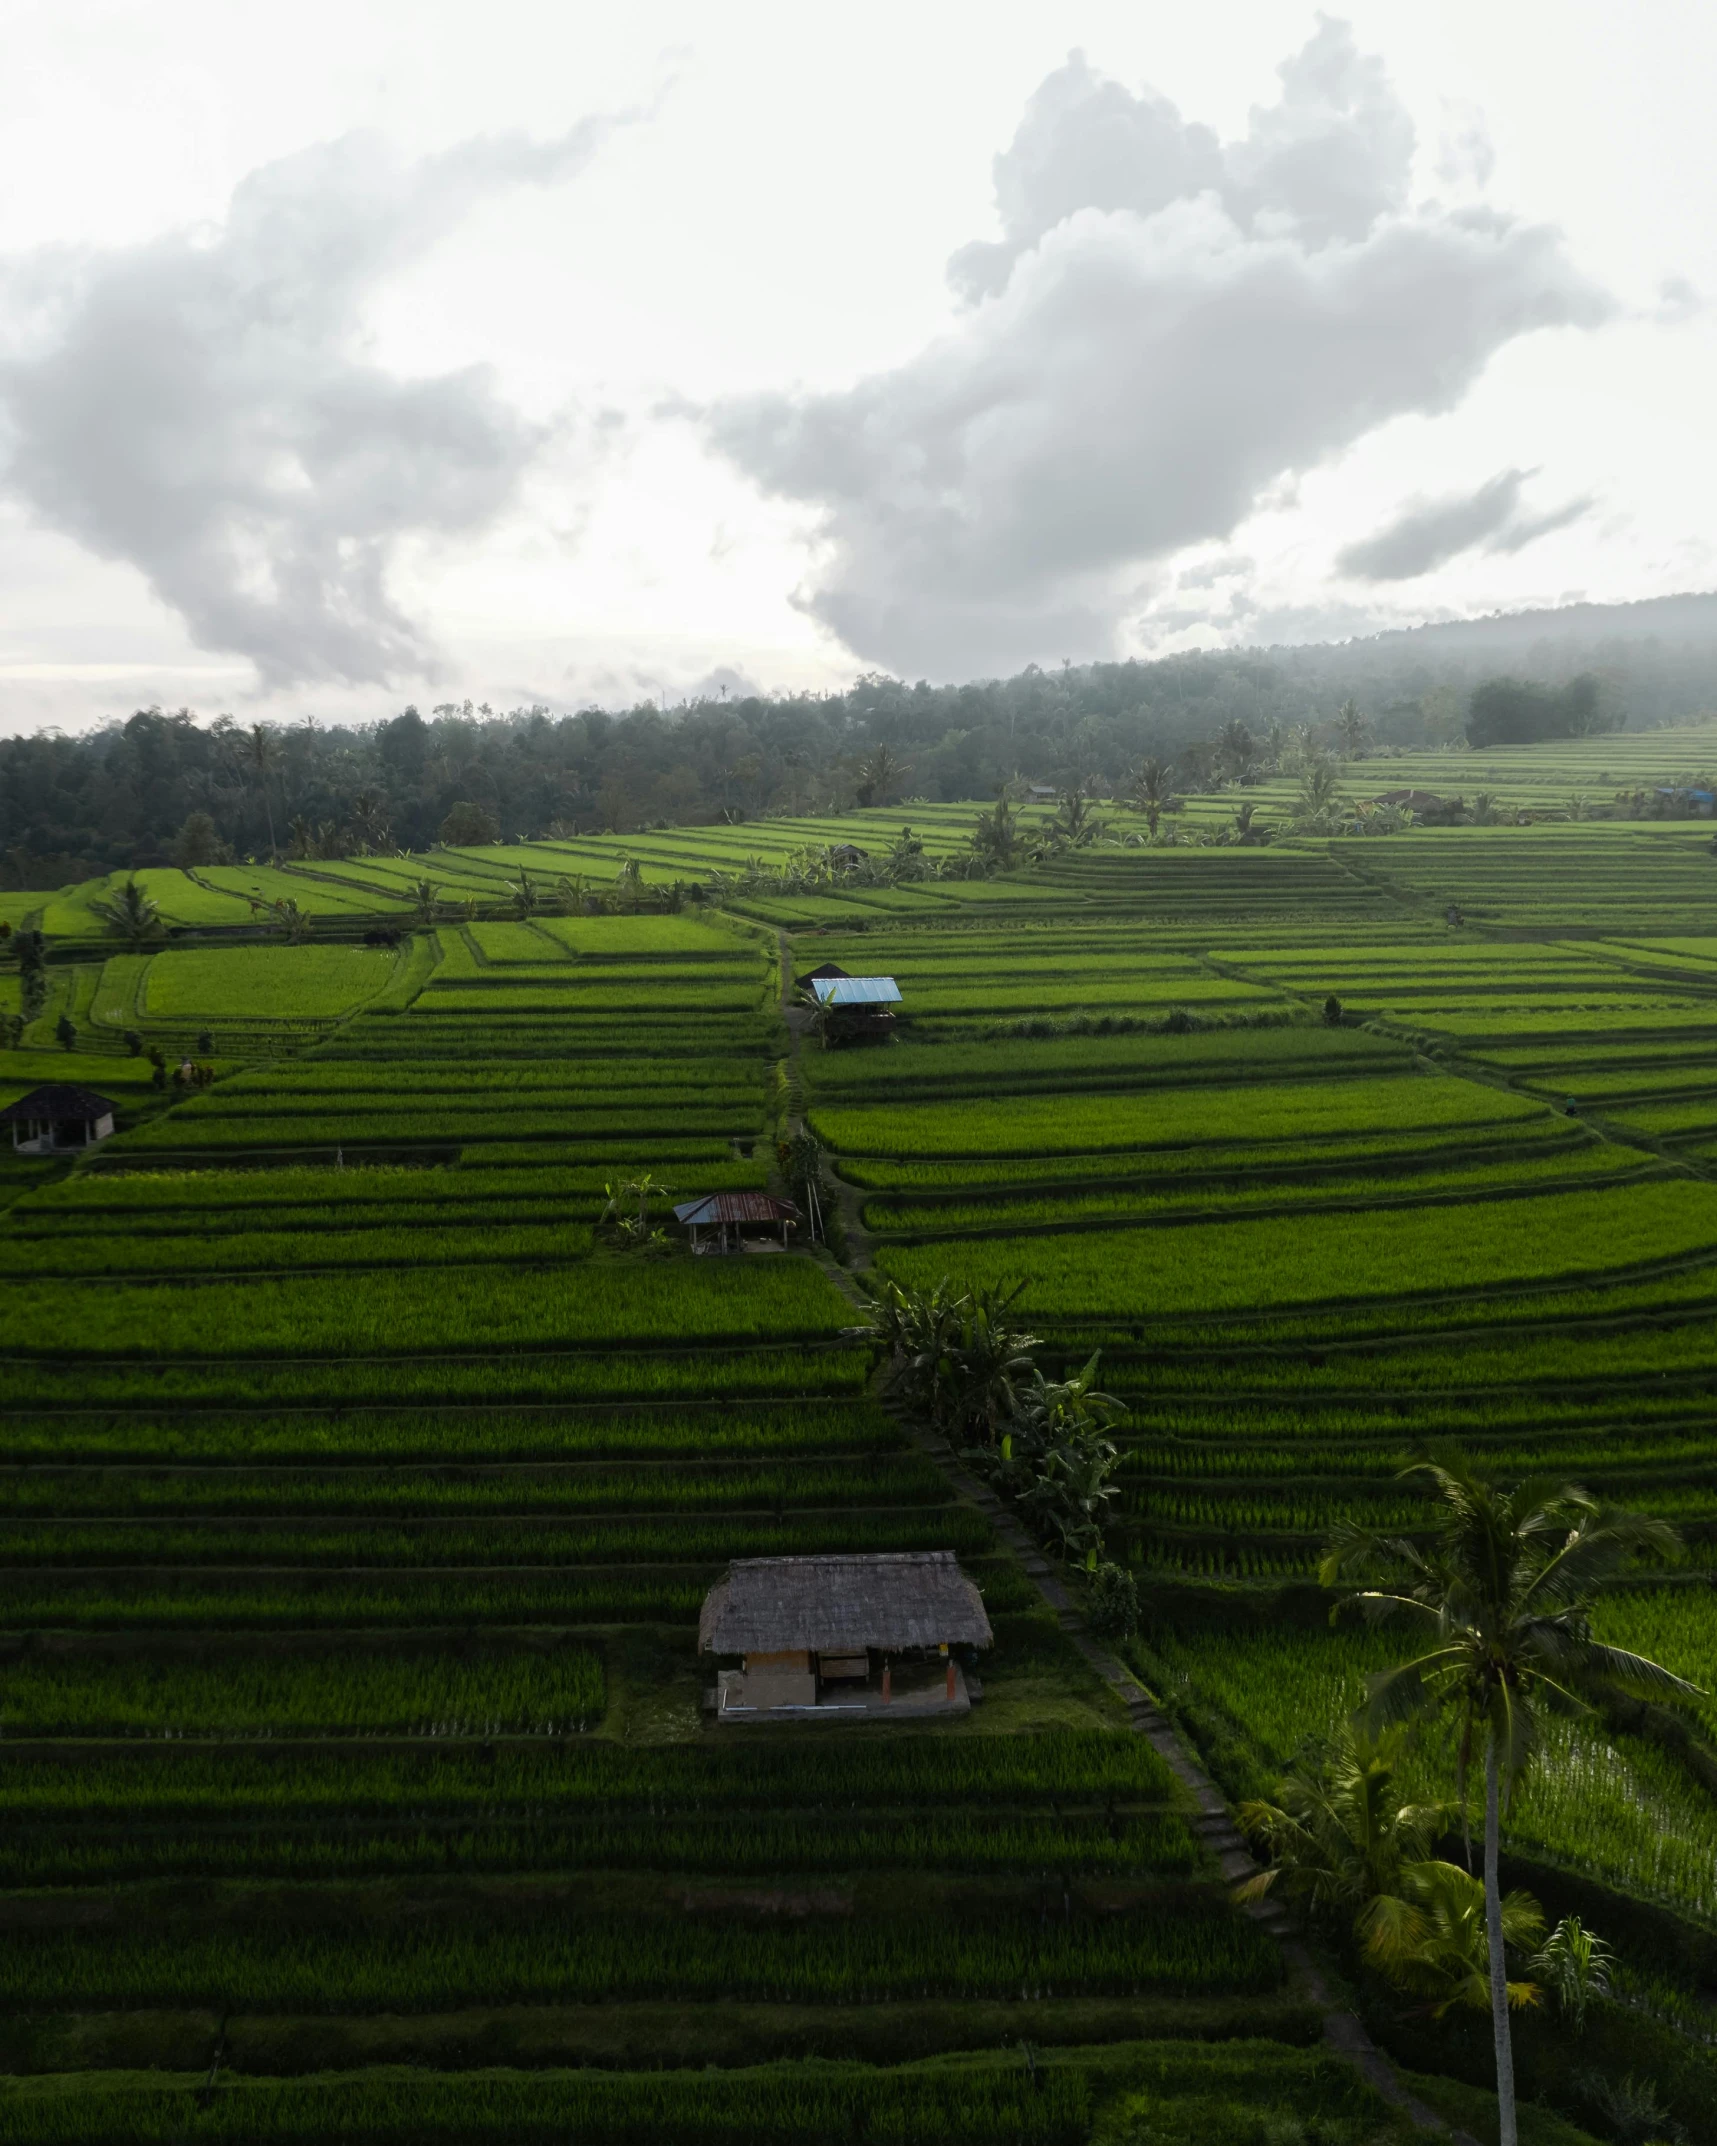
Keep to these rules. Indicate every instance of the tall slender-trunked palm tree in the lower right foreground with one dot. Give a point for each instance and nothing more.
(1503, 1591)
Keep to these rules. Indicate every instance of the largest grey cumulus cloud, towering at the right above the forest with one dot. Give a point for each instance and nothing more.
(1166, 329)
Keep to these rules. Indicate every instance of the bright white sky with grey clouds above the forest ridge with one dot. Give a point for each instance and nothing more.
(357, 355)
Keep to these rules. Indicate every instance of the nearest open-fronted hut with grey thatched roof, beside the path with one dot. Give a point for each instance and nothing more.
(830, 1634)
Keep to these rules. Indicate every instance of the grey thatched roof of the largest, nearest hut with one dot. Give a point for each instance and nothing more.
(894, 1600)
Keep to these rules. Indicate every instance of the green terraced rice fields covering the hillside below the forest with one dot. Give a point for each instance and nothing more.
(478, 1669)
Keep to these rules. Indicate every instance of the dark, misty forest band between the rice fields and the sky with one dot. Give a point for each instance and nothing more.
(171, 789)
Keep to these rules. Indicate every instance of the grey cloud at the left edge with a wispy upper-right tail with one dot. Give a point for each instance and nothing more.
(203, 405)
